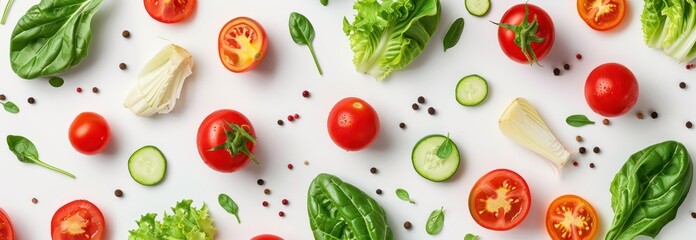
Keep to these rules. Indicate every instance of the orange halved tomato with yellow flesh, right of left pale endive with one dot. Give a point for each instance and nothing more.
(242, 44)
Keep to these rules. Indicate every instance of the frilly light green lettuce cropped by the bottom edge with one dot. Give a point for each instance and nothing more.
(185, 222)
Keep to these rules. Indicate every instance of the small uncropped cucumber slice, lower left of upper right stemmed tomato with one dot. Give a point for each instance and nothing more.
(471, 90)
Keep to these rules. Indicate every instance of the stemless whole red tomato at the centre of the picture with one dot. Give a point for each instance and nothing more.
(353, 124)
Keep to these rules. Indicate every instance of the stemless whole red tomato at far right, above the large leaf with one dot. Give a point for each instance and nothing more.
(611, 90)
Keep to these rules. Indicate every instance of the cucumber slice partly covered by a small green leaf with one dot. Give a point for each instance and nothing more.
(428, 164)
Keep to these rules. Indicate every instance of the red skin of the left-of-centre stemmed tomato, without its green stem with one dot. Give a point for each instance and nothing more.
(211, 133)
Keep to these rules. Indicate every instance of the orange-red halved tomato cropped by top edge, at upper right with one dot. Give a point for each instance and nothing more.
(602, 15)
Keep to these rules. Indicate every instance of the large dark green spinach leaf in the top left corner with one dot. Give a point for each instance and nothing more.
(53, 36)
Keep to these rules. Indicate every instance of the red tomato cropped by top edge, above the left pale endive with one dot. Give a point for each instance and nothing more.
(170, 11)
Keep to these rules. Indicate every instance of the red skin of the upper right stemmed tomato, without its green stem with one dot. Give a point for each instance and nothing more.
(514, 16)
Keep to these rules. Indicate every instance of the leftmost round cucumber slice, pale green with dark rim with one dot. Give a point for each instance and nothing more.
(147, 165)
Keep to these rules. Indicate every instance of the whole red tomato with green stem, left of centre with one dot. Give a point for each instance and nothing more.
(226, 140)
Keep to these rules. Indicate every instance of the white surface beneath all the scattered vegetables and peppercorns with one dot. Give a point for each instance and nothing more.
(273, 90)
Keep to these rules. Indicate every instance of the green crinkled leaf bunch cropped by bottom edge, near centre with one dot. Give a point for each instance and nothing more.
(338, 210)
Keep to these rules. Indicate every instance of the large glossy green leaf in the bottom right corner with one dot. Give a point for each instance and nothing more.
(661, 173)
